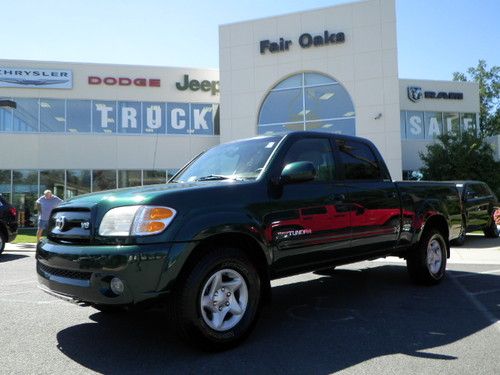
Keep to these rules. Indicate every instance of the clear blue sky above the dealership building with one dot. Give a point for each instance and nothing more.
(435, 37)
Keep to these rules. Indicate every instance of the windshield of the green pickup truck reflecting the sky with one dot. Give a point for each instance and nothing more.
(242, 160)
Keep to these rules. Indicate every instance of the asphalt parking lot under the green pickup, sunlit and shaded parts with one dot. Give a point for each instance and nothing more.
(366, 318)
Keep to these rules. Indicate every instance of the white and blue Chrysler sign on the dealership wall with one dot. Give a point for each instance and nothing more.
(36, 78)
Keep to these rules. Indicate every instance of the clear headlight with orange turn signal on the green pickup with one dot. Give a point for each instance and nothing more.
(136, 220)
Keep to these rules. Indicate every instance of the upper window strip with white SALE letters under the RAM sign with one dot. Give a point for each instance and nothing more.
(428, 125)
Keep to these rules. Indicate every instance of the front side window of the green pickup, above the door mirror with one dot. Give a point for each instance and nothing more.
(316, 151)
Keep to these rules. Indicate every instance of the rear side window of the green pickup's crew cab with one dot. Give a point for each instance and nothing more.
(359, 161)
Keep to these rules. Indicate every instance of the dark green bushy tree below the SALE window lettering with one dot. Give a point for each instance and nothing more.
(461, 157)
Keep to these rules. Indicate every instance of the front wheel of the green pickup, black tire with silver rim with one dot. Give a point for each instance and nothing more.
(217, 304)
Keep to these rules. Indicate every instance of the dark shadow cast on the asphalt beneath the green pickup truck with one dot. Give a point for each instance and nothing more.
(318, 326)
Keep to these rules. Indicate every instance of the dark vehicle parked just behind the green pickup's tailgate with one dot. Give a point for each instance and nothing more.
(481, 209)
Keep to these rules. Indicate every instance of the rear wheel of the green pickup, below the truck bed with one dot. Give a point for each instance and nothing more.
(427, 262)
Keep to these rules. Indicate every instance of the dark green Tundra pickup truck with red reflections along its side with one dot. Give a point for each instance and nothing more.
(209, 242)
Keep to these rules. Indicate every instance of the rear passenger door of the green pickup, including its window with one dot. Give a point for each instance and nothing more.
(373, 199)
